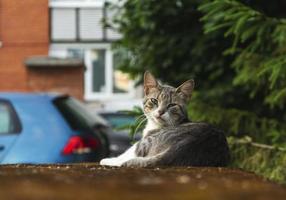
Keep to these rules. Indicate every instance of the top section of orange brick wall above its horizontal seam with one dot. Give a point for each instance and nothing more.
(25, 22)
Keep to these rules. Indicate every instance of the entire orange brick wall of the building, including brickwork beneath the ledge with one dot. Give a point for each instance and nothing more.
(24, 32)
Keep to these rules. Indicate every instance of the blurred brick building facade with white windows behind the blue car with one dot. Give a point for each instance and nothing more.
(63, 30)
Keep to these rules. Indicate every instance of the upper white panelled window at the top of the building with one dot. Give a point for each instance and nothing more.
(81, 24)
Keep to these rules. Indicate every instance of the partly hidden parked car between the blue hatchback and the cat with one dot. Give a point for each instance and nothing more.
(120, 139)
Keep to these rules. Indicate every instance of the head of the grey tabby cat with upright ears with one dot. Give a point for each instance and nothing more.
(165, 105)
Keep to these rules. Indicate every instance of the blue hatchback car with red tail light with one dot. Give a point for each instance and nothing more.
(49, 128)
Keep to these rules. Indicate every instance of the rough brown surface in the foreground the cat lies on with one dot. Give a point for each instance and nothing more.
(91, 181)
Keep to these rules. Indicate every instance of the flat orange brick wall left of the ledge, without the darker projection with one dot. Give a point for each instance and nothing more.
(24, 32)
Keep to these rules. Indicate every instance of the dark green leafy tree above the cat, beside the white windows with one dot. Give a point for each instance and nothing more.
(167, 36)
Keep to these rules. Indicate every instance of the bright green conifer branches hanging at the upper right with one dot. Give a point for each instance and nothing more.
(258, 45)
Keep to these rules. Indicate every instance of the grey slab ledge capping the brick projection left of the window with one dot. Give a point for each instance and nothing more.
(45, 61)
